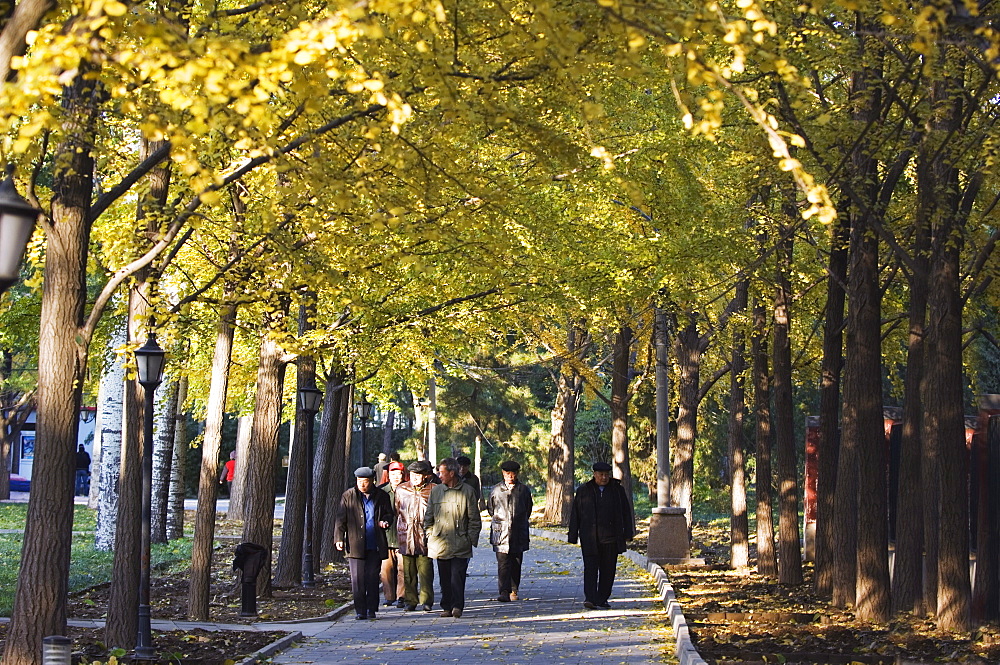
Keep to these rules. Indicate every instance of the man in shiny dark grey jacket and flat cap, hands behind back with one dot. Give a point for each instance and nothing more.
(510, 509)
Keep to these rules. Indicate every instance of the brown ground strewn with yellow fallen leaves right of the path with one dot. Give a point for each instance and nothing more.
(745, 618)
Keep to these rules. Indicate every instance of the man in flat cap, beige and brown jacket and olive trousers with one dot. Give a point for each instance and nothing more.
(418, 569)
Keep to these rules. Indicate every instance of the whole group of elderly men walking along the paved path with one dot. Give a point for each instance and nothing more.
(392, 532)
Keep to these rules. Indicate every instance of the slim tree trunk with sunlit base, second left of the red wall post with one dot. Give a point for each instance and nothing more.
(767, 560)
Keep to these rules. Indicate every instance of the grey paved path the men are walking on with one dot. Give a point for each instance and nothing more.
(548, 625)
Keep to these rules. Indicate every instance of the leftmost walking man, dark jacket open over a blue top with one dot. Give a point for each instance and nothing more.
(365, 514)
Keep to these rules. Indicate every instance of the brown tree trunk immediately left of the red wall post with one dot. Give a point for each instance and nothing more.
(789, 552)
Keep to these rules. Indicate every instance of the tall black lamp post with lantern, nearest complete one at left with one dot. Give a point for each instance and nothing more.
(149, 360)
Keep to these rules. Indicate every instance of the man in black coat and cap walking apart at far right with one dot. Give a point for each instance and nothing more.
(603, 521)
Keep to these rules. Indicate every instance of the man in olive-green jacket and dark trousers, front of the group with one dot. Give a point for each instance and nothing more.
(453, 524)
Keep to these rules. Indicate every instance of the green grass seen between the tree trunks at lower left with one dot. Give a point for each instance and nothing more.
(87, 565)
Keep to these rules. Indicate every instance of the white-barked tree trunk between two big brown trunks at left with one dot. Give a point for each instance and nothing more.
(111, 415)
